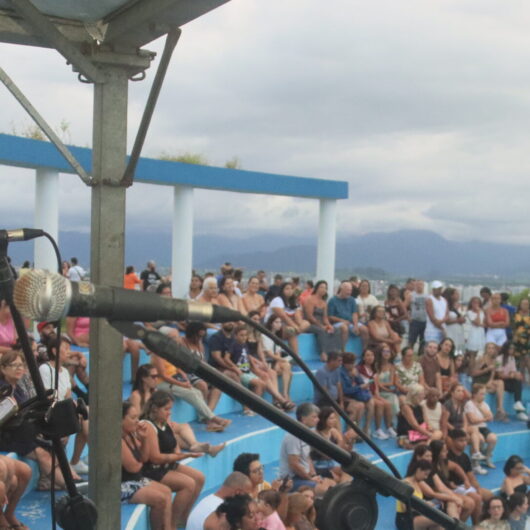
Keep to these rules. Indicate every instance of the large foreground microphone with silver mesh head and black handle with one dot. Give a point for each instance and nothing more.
(45, 296)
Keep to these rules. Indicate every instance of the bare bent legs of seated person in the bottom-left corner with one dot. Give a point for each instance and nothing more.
(14, 478)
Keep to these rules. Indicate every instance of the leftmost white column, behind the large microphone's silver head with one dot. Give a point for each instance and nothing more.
(46, 217)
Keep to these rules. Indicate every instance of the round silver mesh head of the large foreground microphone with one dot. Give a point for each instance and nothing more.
(41, 295)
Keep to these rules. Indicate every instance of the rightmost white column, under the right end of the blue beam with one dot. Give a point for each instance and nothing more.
(327, 227)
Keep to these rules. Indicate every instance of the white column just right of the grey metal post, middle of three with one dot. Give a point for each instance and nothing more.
(182, 242)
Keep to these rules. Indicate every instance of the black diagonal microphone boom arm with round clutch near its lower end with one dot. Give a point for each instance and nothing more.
(369, 479)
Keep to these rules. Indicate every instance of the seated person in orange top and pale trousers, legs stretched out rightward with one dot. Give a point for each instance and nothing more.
(175, 381)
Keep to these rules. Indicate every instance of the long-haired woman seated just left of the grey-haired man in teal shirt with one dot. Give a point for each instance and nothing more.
(329, 338)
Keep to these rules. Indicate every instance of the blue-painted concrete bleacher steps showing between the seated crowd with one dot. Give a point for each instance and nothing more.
(256, 434)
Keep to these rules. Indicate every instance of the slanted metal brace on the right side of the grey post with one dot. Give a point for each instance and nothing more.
(171, 41)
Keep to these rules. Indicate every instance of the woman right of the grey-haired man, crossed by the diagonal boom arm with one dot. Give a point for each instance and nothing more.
(329, 428)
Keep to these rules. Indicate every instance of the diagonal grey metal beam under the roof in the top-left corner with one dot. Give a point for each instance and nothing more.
(43, 26)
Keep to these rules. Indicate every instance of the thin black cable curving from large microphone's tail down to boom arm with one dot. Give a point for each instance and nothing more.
(323, 391)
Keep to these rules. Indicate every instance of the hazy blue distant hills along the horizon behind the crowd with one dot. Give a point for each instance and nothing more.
(406, 252)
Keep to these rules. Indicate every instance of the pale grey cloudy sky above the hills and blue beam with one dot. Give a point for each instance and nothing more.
(423, 107)
